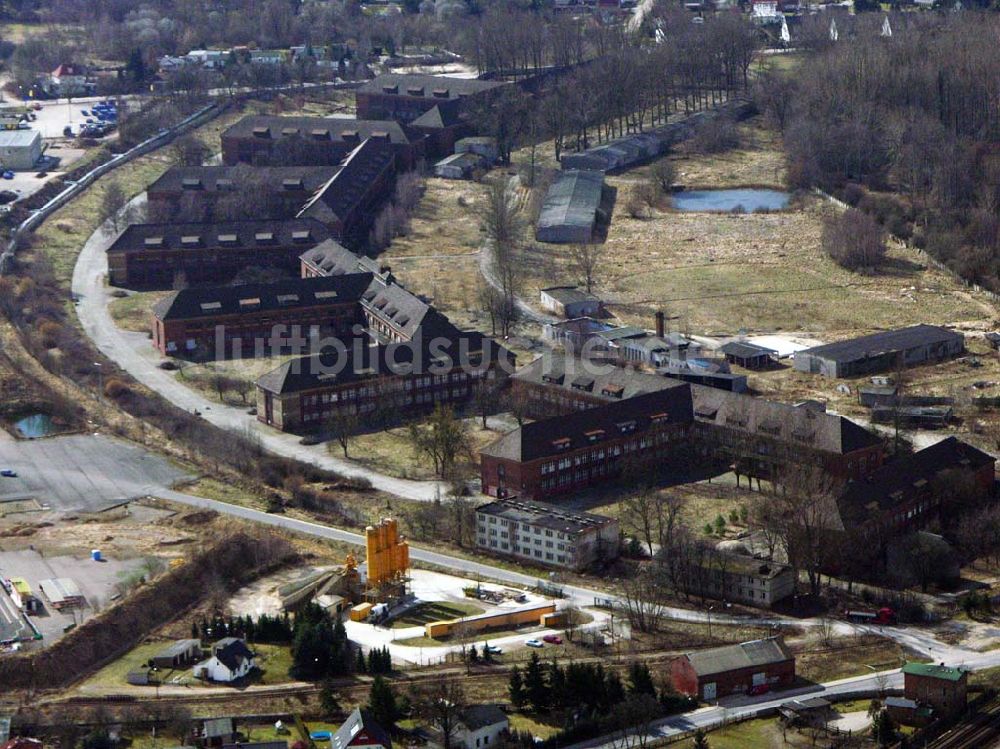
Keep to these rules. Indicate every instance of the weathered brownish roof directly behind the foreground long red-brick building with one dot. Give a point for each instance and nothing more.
(603, 381)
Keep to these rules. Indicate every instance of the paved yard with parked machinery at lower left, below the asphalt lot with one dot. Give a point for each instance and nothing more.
(96, 581)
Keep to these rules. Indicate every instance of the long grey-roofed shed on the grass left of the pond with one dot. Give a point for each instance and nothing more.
(569, 212)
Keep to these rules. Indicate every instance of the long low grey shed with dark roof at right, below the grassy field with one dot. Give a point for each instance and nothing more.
(881, 352)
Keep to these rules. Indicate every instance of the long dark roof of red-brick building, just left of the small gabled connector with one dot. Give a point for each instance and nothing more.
(214, 301)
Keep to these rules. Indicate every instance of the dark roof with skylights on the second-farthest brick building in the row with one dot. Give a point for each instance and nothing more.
(269, 127)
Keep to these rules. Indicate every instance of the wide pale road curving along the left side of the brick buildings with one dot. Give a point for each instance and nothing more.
(134, 353)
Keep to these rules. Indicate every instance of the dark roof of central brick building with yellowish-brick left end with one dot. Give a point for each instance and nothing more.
(362, 361)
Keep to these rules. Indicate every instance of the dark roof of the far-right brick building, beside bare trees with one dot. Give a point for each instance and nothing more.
(894, 482)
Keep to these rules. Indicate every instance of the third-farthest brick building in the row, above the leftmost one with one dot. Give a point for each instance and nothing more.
(192, 193)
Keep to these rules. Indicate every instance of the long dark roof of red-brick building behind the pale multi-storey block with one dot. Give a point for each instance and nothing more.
(551, 437)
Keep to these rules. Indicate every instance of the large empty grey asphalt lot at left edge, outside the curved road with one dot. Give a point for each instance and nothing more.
(80, 473)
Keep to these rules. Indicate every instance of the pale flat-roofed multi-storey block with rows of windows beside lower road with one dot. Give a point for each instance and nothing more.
(546, 534)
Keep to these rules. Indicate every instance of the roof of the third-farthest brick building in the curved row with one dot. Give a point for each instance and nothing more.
(293, 179)
